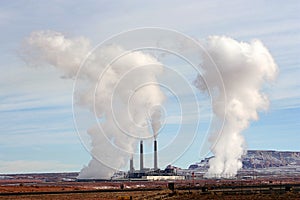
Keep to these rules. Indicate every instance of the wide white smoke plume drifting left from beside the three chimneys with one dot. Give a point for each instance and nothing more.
(122, 94)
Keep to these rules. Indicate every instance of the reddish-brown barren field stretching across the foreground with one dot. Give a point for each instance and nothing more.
(203, 189)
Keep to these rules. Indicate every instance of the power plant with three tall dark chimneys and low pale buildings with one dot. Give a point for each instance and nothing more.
(151, 173)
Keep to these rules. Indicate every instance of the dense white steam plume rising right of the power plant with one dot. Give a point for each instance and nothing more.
(244, 67)
